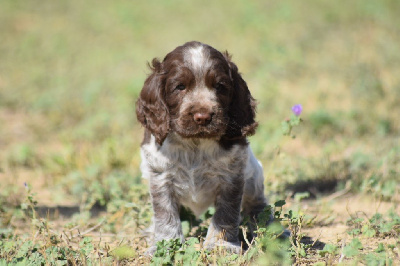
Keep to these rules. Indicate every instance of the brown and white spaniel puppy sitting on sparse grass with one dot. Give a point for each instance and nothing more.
(197, 112)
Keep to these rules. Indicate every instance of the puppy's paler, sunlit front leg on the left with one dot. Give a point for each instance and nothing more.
(167, 224)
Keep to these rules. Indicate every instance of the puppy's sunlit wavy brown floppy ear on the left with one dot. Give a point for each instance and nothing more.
(151, 109)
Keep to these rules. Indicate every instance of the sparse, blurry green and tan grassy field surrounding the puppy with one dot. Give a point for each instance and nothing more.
(70, 72)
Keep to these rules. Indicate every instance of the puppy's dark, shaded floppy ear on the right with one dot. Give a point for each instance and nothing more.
(242, 109)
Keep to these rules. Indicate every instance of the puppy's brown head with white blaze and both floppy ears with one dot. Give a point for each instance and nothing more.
(197, 92)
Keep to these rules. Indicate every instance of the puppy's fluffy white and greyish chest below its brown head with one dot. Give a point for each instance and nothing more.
(193, 170)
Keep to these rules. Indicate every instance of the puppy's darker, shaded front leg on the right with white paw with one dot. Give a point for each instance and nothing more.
(224, 227)
